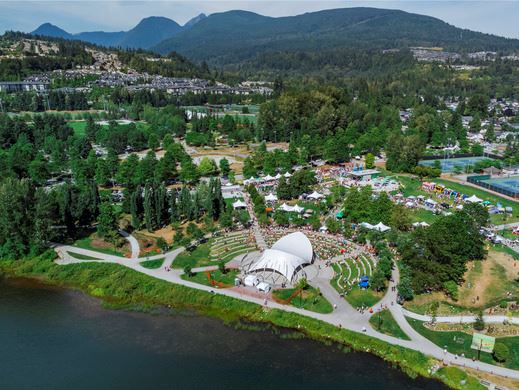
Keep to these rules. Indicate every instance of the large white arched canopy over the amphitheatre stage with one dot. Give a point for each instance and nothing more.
(286, 257)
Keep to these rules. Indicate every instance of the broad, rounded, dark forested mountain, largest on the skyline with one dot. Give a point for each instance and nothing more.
(236, 37)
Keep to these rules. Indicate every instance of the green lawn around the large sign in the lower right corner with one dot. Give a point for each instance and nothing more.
(459, 343)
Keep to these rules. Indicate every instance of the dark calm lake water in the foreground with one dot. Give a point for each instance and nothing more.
(54, 338)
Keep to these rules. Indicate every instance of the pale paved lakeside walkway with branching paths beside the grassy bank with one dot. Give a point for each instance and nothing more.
(344, 315)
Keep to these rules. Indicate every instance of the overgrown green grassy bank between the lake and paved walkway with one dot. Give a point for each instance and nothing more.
(128, 289)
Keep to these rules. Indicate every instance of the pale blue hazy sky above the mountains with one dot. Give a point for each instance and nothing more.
(497, 17)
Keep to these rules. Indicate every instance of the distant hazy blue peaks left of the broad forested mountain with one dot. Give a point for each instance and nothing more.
(149, 32)
